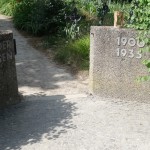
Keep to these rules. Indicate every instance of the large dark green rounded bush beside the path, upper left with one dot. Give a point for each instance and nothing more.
(39, 16)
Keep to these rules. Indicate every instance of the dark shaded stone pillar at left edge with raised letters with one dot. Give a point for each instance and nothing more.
(8, 78)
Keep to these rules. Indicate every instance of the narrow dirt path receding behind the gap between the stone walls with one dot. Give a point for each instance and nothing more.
(36, 73)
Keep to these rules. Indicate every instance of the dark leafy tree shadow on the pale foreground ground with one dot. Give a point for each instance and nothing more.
(27, 122)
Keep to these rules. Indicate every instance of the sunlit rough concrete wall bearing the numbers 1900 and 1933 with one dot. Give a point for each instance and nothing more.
(113, 76)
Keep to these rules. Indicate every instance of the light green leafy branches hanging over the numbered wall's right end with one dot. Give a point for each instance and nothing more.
(141, 20)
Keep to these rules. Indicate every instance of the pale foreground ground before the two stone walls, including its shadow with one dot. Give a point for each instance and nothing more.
(75, 123)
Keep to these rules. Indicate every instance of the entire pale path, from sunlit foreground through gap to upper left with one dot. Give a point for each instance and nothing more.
(57, 114)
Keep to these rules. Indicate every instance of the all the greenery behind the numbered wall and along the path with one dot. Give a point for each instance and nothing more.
(65, 24)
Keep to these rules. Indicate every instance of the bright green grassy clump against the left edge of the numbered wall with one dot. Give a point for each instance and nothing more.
(75, 53)
